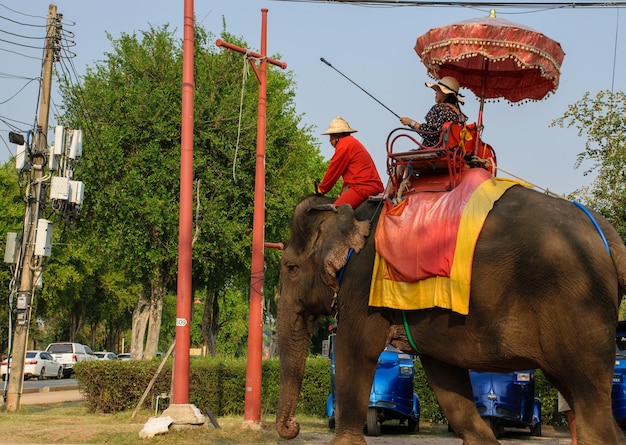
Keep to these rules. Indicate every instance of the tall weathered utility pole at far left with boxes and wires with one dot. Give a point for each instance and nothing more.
(29, 266)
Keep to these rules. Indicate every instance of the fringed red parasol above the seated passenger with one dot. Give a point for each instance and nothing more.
(494, 58)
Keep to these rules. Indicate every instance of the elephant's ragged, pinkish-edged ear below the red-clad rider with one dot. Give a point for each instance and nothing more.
(340, 233)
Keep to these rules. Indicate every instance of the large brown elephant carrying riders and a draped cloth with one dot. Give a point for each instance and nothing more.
(544, 293)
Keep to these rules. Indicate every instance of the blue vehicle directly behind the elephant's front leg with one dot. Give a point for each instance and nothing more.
(391, 397)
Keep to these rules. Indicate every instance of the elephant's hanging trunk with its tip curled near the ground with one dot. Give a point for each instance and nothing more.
(293, 343)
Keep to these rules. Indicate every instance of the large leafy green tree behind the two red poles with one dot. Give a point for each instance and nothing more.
(130, 107)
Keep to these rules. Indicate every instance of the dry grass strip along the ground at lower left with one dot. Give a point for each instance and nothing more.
(71, 423)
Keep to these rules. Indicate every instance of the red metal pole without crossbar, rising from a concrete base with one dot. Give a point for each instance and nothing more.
(185, 228)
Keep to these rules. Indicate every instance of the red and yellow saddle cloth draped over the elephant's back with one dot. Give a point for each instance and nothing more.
(425, 244)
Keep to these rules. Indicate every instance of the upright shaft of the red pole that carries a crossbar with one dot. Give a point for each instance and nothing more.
(252, 409)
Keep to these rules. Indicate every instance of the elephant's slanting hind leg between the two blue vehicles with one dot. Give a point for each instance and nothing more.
(453, 390)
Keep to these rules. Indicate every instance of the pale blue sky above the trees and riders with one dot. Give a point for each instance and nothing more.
(371, 45)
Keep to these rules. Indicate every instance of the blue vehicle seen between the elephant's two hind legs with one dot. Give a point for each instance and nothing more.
(507, 400)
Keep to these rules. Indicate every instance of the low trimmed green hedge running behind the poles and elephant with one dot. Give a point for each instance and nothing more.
(219, 384)
